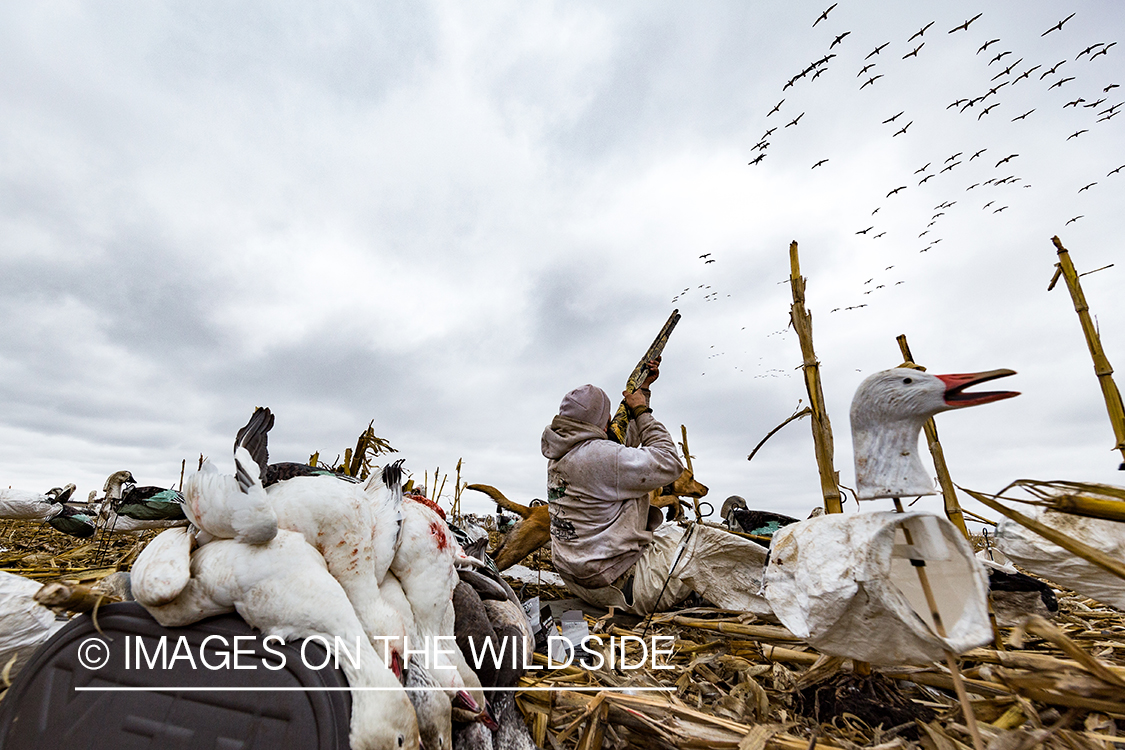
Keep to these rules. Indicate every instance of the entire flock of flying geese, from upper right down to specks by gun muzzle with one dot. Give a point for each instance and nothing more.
(987, 174)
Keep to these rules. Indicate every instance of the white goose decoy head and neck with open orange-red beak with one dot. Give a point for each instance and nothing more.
(888, 413)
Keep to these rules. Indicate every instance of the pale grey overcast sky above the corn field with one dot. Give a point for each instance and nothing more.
(444, 216)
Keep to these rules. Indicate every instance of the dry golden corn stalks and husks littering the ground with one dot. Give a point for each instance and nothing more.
(737, 682)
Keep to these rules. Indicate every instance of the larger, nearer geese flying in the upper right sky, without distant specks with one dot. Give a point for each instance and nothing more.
(1005, 68)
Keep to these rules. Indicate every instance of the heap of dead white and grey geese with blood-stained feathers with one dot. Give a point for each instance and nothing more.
(301, 553)
